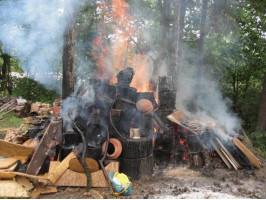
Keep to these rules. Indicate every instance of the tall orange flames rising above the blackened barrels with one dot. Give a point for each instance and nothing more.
(119, 52)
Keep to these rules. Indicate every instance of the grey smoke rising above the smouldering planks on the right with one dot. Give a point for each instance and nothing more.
(211, 106)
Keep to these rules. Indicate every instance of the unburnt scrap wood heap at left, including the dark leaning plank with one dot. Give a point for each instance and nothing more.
(24, 171)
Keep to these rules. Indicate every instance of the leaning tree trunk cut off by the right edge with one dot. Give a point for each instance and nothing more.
(261, 123)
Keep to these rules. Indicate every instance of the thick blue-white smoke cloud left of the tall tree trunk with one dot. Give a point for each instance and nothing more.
(32, 31)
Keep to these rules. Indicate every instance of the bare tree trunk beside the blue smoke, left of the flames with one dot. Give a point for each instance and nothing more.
(68, 58)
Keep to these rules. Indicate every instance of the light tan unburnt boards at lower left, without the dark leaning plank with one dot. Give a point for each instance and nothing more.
(26, 185)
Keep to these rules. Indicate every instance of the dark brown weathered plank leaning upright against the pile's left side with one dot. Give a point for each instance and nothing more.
(51, 137)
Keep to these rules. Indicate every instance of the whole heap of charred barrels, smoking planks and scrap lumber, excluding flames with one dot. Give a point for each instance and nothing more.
(106, 128)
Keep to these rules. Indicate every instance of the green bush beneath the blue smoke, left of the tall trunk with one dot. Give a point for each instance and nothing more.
(32, 91)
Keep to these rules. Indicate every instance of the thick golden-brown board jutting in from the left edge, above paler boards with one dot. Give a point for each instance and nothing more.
(16, 151)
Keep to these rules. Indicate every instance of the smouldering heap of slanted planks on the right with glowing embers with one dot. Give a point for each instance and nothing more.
(202, 139)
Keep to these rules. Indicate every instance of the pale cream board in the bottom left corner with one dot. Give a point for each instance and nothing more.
(12, 189)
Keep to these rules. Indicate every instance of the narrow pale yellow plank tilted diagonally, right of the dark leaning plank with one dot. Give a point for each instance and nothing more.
(61, 168)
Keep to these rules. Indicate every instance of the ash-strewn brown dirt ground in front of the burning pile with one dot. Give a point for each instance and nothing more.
(181, 182)
